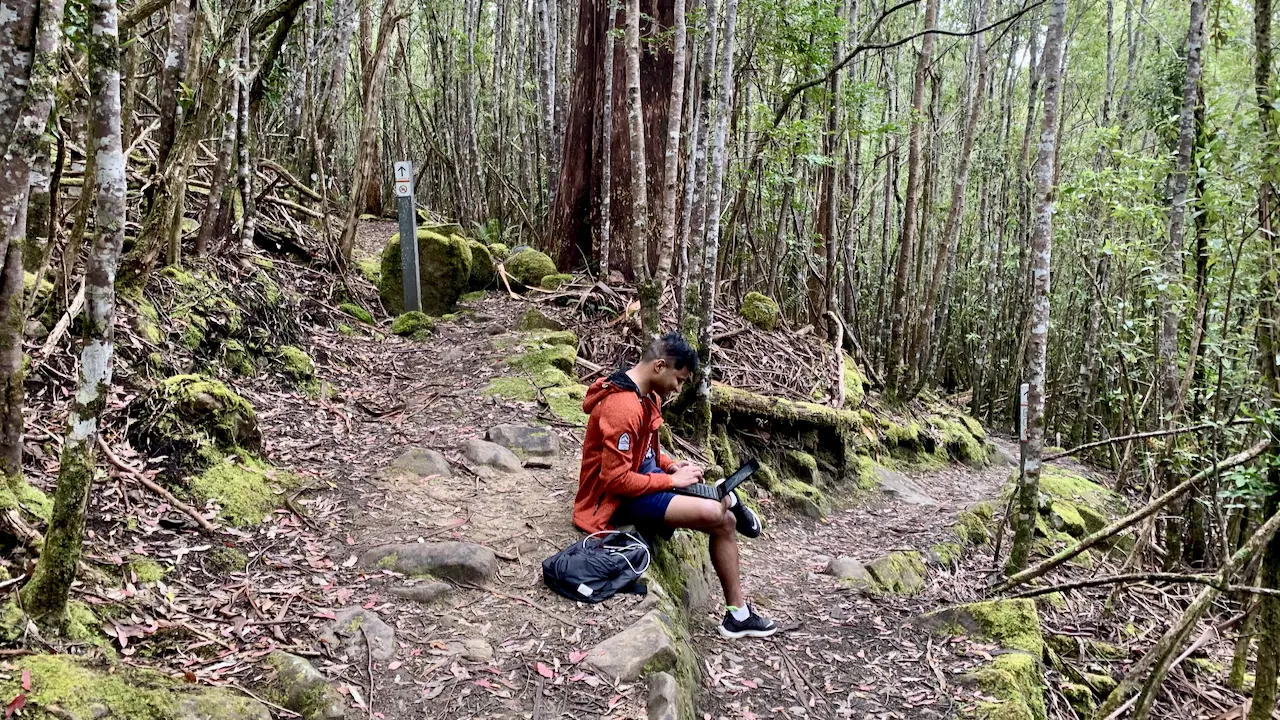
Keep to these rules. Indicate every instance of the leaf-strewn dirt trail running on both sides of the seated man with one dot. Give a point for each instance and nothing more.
(839, 655)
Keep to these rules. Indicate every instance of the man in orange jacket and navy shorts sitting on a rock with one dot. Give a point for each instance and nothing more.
(627, 480)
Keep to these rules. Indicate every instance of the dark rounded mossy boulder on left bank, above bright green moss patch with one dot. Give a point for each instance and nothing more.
(195, 421)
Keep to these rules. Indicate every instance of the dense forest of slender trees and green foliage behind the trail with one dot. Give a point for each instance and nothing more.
(959, 197)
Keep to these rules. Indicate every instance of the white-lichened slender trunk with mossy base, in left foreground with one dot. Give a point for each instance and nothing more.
(45, 596)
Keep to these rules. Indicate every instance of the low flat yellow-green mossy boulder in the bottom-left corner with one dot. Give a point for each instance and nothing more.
(84, 690)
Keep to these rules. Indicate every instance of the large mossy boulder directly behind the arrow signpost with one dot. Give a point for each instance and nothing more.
(445, 272)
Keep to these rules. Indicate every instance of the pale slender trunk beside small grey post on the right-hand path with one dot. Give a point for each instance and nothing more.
(1043, 245)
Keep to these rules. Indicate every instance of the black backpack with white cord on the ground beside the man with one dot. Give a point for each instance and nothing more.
(598, 567)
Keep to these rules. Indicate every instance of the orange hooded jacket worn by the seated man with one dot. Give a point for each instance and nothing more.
(620, 432)
